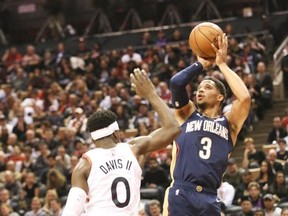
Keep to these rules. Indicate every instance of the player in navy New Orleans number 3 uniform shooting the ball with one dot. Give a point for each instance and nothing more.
(200, 153)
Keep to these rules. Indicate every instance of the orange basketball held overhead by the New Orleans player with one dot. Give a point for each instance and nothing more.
(201, 37)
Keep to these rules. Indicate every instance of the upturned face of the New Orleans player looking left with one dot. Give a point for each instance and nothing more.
(206, 93)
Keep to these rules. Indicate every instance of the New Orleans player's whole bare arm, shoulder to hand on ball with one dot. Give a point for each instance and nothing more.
(241, 106)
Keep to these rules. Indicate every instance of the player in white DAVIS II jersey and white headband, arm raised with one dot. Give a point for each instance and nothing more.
(110, 175)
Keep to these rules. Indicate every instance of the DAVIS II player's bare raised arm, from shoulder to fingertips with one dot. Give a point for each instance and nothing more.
(170, 129)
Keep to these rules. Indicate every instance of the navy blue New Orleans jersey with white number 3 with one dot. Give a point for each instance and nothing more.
(202, 151)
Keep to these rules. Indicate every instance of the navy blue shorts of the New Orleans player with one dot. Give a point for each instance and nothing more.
(185, 199)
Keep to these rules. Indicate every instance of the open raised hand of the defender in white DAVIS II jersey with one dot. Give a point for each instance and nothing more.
(142, 84)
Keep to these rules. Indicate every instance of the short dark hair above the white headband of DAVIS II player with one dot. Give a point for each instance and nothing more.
(100, 119)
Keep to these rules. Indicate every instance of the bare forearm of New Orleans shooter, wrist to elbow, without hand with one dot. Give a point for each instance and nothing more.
(235, 83)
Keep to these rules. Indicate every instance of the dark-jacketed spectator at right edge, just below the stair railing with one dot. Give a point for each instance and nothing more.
(277, 132)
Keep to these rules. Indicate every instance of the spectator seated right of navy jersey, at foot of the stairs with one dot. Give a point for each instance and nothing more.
(252, 157)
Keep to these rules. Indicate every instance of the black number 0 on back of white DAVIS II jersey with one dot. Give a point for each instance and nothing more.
(114, 192)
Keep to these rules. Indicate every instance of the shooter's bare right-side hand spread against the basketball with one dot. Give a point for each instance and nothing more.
(221, 52)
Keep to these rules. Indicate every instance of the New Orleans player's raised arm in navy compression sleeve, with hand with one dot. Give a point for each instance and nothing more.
(183, 106)
